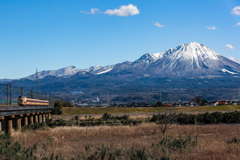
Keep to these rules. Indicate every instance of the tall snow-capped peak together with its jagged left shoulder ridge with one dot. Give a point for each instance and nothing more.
(186, 60)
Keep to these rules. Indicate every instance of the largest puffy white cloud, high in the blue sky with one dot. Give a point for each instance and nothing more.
(124, 10)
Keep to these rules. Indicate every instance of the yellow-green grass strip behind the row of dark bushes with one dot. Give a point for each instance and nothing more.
(137, 113)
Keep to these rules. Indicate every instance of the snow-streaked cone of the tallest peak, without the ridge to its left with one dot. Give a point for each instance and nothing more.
(193, 59)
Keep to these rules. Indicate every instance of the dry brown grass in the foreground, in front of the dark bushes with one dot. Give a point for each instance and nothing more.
(71, 141)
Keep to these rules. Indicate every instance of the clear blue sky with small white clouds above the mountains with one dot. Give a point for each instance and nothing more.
(50, 35)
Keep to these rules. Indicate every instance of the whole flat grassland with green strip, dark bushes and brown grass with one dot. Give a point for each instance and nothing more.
(134, 133)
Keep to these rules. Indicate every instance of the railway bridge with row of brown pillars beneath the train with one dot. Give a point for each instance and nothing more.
(14, 117)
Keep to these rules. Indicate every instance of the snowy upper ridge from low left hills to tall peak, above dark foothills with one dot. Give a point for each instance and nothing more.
(186, 60)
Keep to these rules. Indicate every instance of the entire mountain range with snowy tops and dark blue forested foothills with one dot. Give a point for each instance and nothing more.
(186, 66)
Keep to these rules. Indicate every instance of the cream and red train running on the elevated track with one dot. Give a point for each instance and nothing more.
(24, 101)
